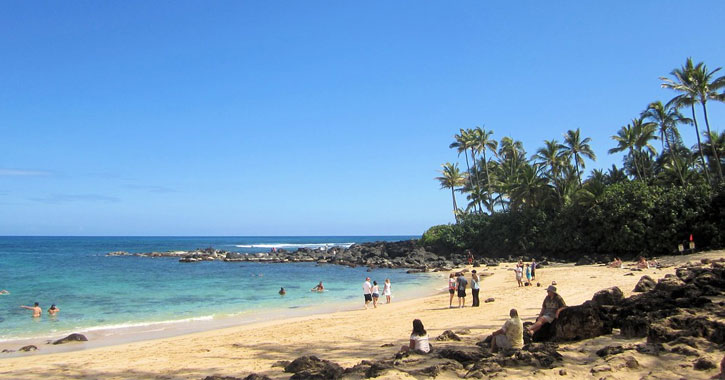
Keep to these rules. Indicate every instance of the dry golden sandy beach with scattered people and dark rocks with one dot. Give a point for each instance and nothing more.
(351, 336)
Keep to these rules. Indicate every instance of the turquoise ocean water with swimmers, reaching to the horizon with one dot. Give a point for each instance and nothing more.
(95, 291)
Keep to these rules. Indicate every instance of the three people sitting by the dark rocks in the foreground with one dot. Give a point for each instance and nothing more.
(510, 335)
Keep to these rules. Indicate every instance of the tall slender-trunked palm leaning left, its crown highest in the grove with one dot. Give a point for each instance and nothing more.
(685, 83)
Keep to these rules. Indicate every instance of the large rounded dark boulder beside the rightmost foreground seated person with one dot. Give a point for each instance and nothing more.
(581, 322)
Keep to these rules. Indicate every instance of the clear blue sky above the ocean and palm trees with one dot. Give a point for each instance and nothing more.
(306, 118)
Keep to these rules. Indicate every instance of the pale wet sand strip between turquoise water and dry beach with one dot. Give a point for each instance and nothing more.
(104, 336)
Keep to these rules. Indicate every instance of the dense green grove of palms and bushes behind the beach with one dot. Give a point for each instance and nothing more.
(541, 205)
